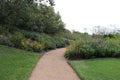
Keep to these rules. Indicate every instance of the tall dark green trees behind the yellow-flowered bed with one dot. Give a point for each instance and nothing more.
(24, 14)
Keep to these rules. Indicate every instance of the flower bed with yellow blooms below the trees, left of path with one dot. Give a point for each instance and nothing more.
(32, 41)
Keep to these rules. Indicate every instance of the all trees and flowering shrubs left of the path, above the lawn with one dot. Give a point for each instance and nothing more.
(27, 26)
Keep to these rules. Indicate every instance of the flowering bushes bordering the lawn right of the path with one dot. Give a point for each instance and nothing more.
(85, 49)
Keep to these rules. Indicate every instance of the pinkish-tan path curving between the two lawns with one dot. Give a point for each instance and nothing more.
(53, 66)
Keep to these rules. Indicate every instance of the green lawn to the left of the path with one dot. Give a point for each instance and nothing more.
(16, 64)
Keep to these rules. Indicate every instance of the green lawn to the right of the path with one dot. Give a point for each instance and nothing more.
(97, 69)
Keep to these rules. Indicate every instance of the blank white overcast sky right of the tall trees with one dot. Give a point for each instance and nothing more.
(80, 14)
